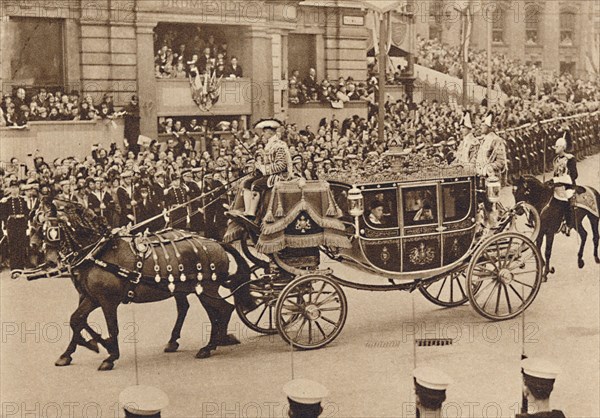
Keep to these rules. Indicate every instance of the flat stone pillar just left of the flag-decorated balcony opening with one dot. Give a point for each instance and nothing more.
(146, 85)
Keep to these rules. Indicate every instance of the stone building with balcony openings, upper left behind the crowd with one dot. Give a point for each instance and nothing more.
(109, 46)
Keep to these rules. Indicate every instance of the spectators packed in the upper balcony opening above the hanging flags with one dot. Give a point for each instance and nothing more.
(204, 57)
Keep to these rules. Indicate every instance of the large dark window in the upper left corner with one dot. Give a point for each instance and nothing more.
(34, 54)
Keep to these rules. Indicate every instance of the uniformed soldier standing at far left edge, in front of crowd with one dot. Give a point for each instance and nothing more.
(14, 217)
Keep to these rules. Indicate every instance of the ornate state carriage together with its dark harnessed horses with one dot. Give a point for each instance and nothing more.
(425, 232)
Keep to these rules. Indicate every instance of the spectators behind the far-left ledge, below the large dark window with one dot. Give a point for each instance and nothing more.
(17, 109)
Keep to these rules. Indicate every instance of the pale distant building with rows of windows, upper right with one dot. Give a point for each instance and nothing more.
(556, 35)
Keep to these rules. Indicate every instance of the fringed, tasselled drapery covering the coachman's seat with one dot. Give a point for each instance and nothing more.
(301, 214)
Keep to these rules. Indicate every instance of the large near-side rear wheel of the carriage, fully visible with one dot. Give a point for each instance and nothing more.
(504, 276)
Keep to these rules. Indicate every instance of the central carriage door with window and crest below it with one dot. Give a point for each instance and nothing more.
(422, 227)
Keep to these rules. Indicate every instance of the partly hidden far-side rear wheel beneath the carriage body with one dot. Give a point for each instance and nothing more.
(449, 291)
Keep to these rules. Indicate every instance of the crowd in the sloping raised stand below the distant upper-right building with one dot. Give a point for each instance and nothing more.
(514, 78)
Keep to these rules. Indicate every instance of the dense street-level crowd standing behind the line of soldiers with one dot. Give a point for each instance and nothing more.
(331, 144)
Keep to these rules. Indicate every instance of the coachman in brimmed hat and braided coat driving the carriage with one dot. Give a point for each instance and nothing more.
(277, 165)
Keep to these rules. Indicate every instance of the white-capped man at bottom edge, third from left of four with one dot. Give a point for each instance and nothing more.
(430, 391)
